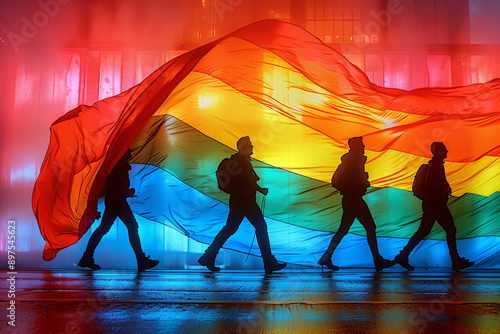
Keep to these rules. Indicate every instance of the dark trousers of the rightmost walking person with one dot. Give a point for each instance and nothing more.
(434, 211)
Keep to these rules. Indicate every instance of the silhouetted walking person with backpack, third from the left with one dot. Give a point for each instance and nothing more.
(352, 181)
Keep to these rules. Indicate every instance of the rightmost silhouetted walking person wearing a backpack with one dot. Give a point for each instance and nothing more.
(435, 192)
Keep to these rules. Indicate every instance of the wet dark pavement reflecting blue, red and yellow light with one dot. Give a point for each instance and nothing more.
(291, 301)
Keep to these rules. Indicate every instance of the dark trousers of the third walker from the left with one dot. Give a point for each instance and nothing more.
(355, 207)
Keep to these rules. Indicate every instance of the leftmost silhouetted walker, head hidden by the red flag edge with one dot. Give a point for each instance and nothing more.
(117, 206)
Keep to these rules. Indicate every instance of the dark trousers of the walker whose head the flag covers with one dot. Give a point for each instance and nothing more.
(123, 212)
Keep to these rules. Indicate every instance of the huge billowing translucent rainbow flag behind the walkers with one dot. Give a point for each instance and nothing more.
(299, 101)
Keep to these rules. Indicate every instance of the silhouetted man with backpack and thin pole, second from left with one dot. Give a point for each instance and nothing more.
(241, 183)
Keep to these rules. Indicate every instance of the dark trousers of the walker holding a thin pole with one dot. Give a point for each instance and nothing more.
(238, 211)
